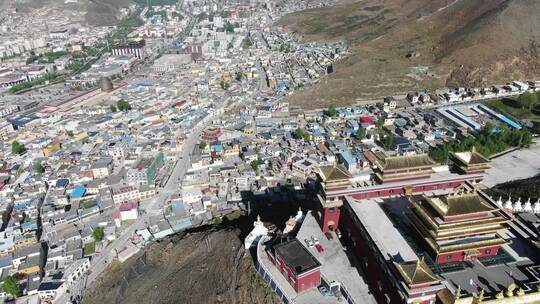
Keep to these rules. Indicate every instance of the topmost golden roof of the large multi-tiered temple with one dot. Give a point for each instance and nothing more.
(459, 203)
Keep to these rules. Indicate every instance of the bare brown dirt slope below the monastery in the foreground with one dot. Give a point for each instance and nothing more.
(202, 267)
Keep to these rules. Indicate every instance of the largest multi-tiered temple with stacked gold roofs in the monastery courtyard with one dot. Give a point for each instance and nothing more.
(459, 226)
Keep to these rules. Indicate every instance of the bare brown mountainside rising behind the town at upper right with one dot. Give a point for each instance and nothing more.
(402, 45)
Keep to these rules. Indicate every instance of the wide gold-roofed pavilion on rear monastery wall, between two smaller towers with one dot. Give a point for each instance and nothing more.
(402, 167)
